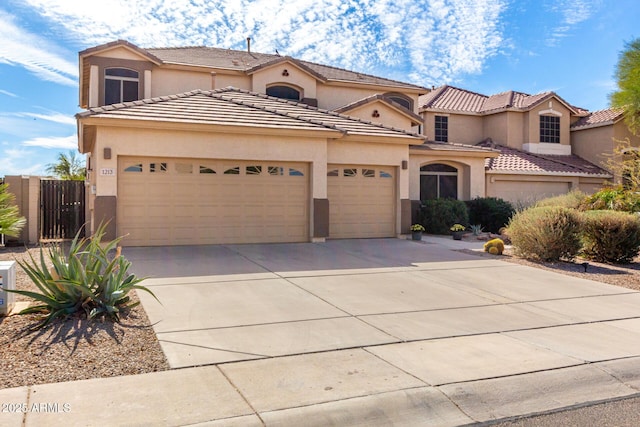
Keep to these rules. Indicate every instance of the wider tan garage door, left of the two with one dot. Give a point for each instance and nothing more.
(191, 201)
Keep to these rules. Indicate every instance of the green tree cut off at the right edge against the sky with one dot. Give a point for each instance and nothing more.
(627, 75)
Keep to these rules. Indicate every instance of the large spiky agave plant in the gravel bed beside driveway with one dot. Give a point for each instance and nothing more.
(86, 279)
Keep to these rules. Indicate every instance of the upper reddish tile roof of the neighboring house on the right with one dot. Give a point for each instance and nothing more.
(450, 98)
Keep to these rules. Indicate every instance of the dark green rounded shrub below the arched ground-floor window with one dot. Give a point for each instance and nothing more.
(438, 215)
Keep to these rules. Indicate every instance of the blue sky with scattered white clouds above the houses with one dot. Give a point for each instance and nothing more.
(487, 46)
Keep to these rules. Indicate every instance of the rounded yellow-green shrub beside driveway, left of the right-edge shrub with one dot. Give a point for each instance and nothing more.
(547, 233)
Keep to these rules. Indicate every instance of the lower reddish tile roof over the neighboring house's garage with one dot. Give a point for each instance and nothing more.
(511, 160)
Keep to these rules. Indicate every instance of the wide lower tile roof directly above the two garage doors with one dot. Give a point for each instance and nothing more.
(235, 107)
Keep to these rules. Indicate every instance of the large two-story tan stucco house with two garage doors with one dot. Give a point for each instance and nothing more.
(202, 145)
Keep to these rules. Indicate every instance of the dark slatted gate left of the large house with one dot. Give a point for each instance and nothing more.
(61, 208)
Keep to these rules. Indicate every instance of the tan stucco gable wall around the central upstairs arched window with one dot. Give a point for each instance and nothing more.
(297, 78)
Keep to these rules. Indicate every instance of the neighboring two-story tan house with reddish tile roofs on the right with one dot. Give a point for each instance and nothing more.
(533, 133)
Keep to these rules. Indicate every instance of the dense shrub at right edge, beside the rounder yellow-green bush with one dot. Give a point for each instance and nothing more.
(611, 236)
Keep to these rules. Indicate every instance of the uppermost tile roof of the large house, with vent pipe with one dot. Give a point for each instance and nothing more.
(250, 61)
